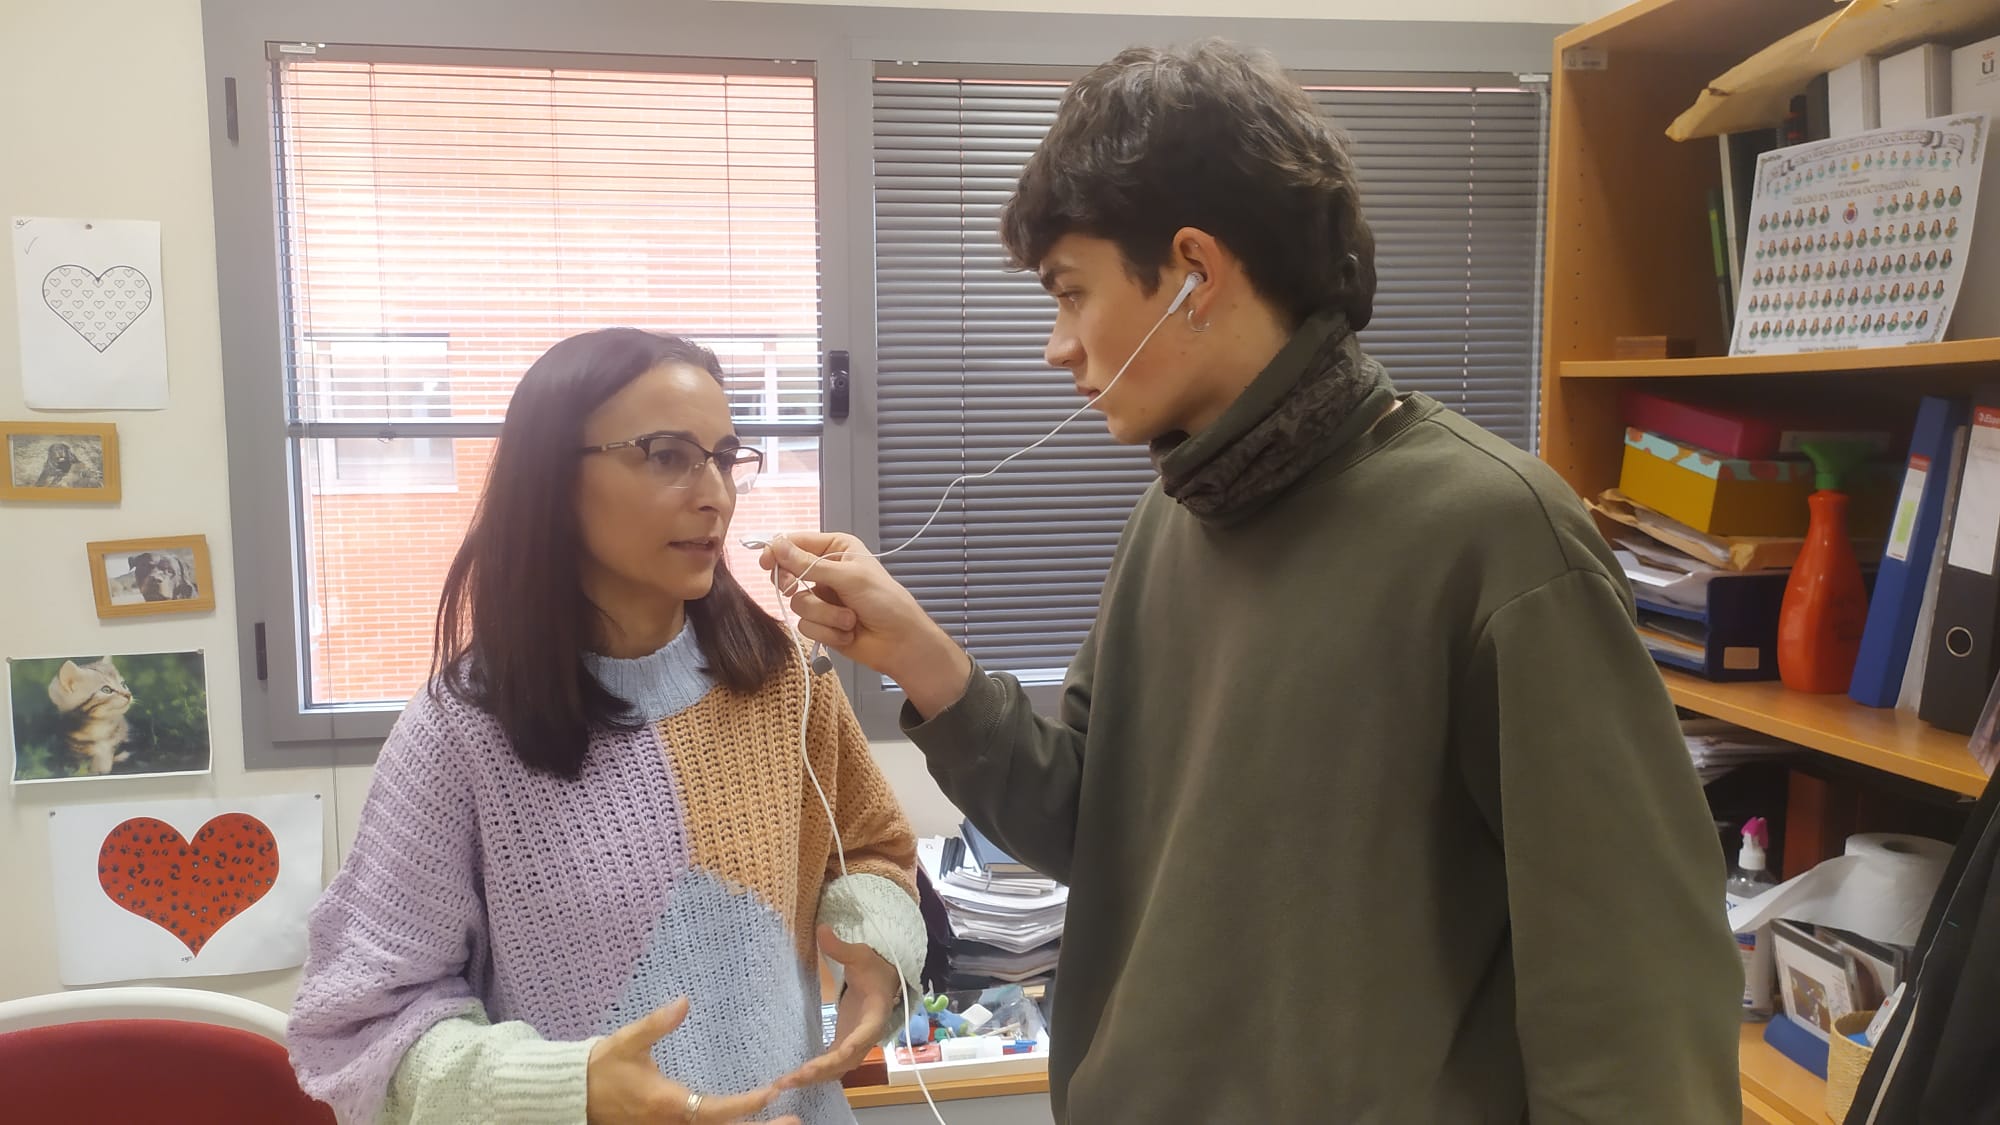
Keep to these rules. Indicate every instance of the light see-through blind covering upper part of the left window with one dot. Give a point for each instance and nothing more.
(509, 207)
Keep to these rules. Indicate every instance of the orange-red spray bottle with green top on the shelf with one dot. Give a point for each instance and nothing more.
(1825, 602)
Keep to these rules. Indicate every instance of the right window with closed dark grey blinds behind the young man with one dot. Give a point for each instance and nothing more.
(1013, 570)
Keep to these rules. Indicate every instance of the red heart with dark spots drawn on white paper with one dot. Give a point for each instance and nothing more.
(189, 888)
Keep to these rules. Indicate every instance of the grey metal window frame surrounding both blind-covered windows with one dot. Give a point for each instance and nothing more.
(841, 47)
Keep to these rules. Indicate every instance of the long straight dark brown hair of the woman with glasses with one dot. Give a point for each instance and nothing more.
(515, 624)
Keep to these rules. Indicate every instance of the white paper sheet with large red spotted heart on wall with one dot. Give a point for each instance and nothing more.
(153, 890)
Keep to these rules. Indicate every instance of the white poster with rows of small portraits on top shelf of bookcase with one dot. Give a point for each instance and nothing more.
(1859, 243)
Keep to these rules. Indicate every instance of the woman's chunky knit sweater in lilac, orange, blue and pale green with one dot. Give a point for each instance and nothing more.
(491, 920)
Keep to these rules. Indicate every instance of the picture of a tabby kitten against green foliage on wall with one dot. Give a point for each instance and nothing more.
(123, 716)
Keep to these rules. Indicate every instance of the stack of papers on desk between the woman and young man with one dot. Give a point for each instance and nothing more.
(1005, 926)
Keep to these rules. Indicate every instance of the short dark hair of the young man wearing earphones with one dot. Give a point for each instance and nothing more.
(1213, 137)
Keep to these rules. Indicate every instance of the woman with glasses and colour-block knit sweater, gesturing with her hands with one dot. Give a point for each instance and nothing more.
(593, 872)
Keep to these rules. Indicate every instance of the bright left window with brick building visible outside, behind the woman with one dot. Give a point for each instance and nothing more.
(447, 219)
